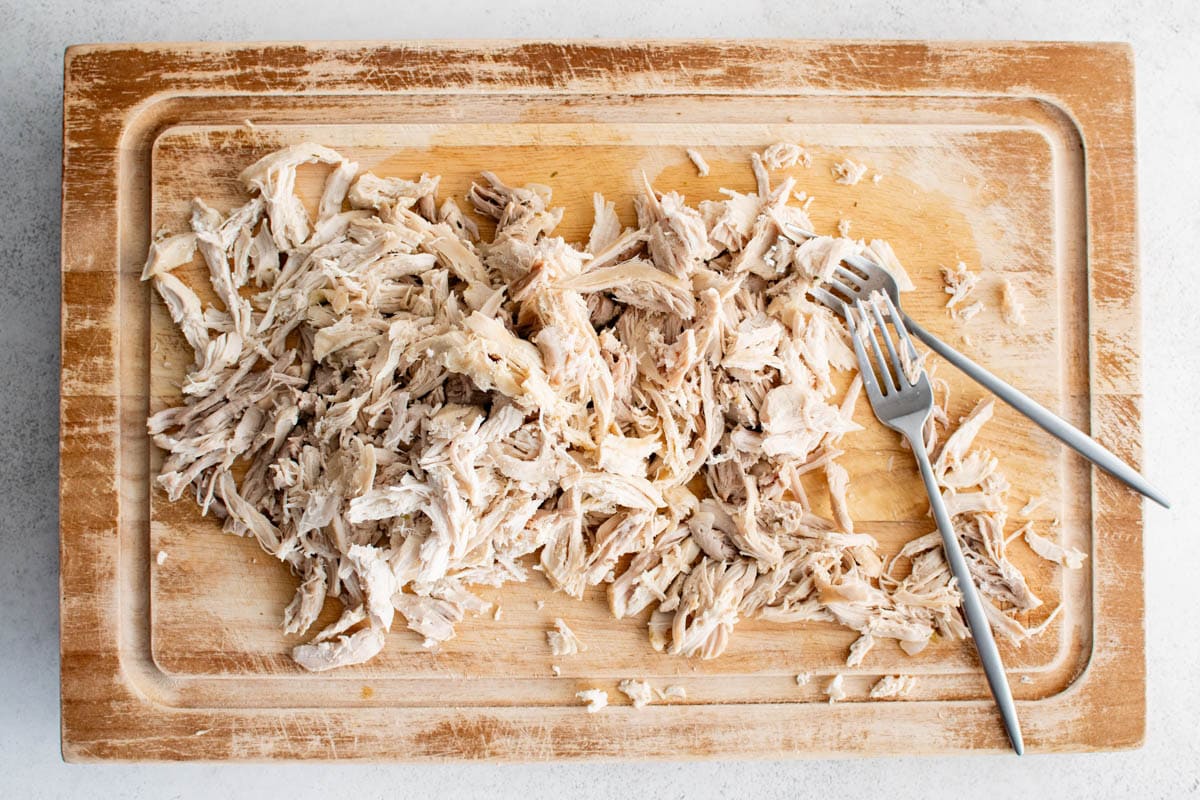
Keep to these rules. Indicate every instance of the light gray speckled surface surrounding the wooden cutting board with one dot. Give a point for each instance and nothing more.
(1169, 166)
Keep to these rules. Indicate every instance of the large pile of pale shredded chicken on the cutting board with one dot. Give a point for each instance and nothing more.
(400, 411)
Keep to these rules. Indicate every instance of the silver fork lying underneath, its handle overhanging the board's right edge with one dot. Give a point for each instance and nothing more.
(871, 278)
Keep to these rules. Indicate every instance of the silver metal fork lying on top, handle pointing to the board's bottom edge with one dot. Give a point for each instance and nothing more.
(903, 402)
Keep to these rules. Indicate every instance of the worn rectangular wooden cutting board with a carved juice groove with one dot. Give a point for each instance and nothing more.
(1015, 159)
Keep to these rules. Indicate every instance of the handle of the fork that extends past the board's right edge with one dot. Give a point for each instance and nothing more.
(1052, 424)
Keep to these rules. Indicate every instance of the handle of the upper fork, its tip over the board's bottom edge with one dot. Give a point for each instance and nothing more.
(977, 619)
